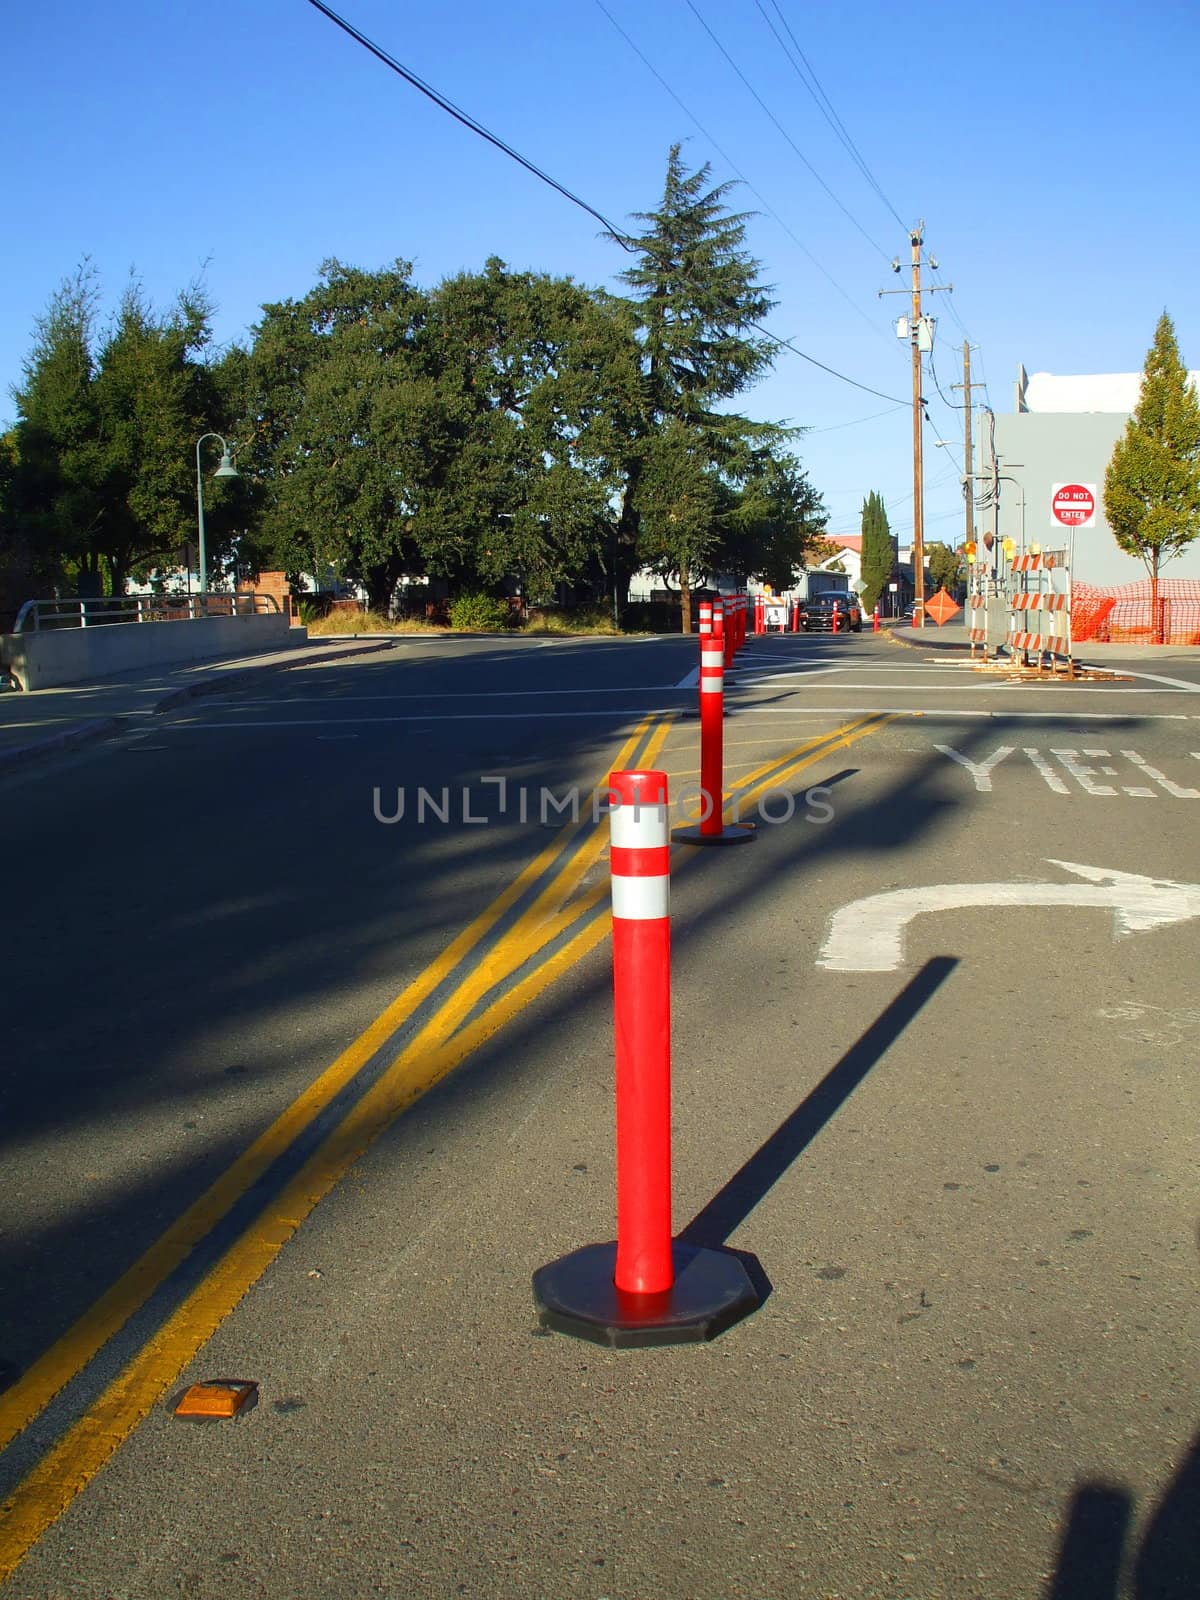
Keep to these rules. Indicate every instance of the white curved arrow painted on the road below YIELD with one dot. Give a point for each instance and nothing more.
(868, 937)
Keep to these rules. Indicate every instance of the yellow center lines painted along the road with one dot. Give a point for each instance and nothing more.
(561, 926)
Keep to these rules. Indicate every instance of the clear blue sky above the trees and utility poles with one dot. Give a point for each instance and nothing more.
(1052, 151)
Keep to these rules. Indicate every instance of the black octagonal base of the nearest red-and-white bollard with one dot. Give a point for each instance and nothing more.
(577, 1295)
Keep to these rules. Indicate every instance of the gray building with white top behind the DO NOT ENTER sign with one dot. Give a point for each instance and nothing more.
(1062, 431)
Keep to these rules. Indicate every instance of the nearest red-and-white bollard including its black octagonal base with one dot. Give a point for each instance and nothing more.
(642, 1289)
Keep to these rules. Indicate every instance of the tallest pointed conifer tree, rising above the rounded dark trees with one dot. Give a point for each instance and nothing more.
(697, 297)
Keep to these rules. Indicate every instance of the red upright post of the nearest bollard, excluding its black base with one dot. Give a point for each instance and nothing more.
(641, 863)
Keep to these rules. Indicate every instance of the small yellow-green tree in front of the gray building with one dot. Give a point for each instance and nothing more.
(1153, 482)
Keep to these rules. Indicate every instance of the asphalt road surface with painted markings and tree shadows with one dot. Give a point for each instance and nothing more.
(310, 1065)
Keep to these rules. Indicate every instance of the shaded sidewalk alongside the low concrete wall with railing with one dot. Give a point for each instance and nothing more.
(46, 721)
